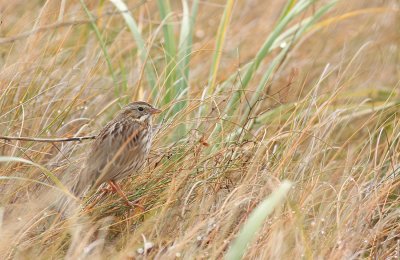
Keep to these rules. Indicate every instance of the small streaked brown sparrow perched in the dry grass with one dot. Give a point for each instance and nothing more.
(119, 150)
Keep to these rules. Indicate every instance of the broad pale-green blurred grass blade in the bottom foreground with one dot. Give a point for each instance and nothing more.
(255, 221)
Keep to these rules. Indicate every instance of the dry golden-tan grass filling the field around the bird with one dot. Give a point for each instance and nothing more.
(326, 120)
